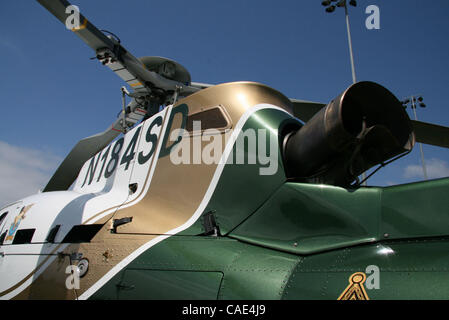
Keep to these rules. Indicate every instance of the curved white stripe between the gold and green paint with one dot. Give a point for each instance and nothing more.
(197, 213)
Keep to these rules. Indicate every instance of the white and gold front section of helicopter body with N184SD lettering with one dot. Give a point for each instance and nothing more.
(165, 203)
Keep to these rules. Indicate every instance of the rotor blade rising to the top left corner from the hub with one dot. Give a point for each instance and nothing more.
(111, 53)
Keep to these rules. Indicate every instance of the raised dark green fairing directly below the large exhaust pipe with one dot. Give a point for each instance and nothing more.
(308, 219)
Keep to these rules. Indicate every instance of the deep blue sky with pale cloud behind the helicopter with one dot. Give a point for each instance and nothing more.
(52, 94)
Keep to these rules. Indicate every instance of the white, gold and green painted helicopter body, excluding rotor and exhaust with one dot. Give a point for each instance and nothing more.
(274, 239)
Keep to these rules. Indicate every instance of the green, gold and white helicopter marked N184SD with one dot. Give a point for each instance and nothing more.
(228, 191)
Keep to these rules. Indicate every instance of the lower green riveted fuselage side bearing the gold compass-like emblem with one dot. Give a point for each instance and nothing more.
(221, 268)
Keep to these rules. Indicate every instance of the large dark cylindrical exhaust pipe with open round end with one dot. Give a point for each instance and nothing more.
(364, 126)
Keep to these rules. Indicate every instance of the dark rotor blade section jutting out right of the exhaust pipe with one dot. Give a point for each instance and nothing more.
(432, 134)
